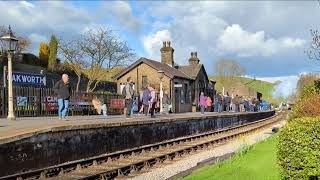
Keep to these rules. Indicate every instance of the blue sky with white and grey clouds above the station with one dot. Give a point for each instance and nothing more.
(268, 38)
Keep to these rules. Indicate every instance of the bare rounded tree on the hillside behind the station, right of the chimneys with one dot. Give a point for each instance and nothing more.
(227, 70)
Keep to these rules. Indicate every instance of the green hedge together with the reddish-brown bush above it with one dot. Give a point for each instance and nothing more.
(299, 140)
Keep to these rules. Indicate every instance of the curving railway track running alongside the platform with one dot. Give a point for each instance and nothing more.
(130, 162)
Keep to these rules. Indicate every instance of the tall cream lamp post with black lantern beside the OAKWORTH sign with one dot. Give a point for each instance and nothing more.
(9, 45)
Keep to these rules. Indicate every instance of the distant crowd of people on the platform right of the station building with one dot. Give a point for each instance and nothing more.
(227, 103)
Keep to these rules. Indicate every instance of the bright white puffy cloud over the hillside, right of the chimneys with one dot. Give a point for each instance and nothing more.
(244, 43)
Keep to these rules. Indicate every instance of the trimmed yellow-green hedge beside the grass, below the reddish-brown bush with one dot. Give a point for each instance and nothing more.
(299, 148)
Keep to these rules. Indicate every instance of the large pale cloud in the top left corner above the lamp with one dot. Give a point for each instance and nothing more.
(37, 20)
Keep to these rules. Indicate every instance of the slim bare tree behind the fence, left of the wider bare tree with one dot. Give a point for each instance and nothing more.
(73, 57)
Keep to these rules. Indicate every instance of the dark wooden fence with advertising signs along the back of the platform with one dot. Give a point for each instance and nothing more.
(40, 101)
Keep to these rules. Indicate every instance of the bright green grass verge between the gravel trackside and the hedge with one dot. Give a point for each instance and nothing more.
(256, 162)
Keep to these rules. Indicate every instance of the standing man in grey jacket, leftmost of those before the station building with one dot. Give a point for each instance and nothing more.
(127, 94)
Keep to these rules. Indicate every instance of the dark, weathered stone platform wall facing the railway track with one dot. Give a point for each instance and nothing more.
(56, 147)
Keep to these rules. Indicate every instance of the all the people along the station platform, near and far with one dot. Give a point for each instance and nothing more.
(148, 101)
